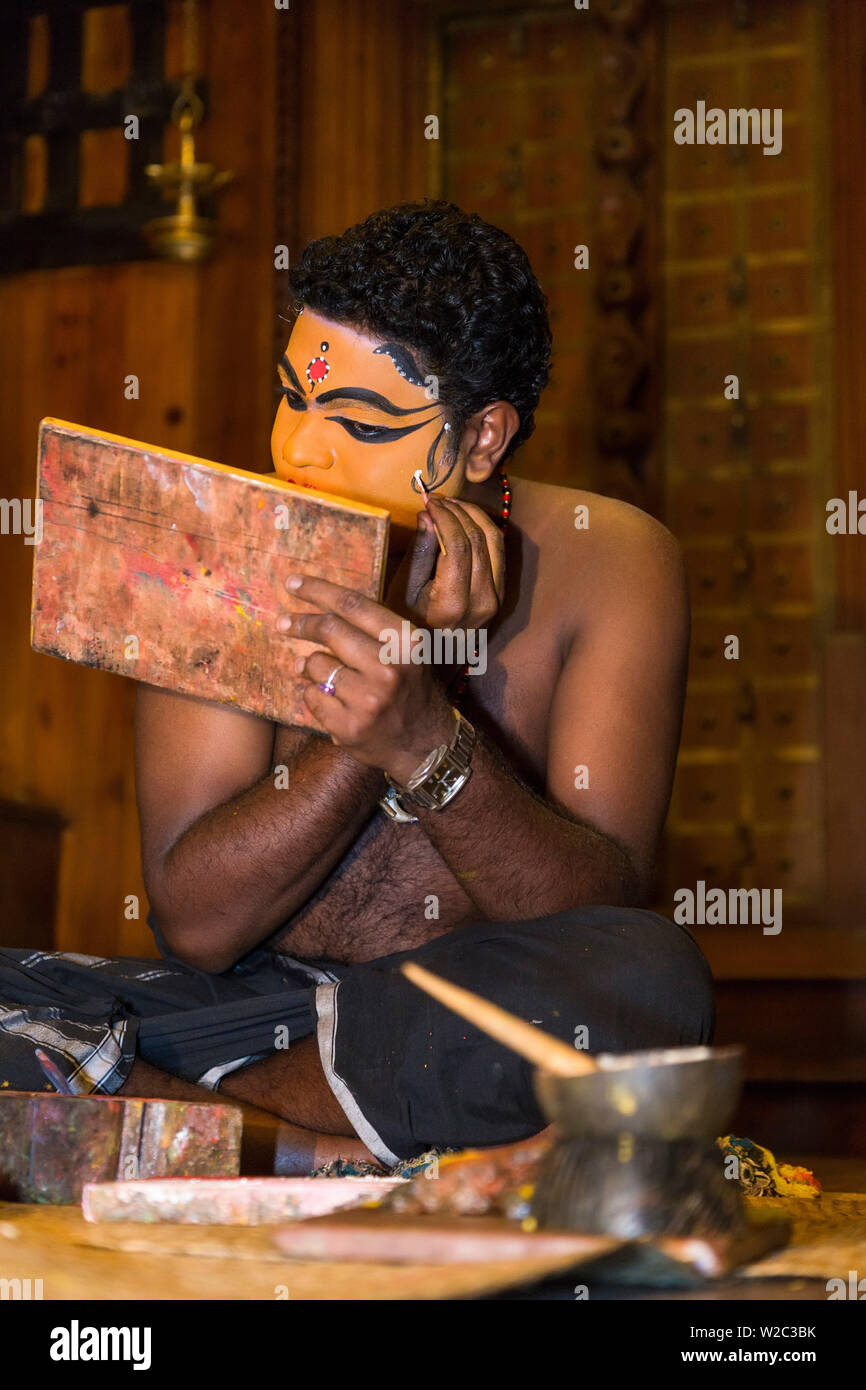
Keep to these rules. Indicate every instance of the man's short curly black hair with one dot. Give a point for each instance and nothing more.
(452, 288)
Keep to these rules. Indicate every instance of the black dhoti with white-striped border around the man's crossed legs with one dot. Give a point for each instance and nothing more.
(408, 1072)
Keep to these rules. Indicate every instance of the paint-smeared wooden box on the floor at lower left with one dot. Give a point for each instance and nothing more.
(51, 1146)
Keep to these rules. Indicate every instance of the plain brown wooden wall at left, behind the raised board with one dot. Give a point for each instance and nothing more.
(199, 340)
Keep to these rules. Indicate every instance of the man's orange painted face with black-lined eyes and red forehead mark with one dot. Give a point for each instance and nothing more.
(357, 419)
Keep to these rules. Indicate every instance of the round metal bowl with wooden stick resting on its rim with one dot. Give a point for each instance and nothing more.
(665, 1095)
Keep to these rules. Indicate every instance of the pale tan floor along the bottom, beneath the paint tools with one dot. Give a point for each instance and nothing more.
(80, 1260)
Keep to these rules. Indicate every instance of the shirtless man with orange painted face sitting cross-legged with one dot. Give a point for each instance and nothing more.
(297, 893)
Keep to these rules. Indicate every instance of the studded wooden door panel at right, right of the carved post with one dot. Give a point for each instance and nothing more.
(747, 294)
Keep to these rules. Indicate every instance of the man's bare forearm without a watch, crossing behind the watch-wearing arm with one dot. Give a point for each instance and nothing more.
(247, 867)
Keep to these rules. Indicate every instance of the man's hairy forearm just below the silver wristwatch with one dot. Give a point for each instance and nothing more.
(516, 856)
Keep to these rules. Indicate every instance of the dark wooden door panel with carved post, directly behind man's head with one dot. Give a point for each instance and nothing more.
(548, 133)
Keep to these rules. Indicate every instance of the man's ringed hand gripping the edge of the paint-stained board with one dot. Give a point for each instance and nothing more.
(384, 715)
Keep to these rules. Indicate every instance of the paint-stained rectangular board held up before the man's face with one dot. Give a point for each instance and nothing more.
(172, 569)
